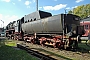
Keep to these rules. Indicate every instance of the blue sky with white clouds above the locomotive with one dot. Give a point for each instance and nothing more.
(12, 10)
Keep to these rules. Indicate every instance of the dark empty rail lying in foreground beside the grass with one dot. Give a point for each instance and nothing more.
(35, 53)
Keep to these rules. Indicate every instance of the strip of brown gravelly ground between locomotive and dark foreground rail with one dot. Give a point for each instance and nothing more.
(56, 53)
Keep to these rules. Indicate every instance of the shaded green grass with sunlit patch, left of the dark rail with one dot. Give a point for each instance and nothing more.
(7, 52)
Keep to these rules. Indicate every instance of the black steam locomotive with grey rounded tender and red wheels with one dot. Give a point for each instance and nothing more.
(59, 31)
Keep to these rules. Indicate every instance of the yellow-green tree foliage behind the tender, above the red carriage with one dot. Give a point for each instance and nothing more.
(83, 11)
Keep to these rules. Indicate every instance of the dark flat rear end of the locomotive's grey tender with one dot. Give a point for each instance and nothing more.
(72, 25)
